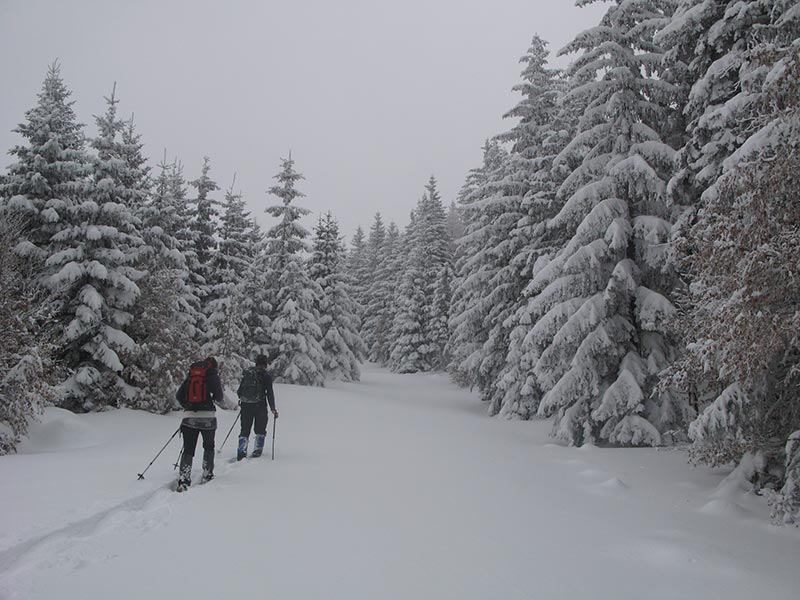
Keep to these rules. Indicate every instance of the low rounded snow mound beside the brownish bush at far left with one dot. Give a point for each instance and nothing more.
(58, 430)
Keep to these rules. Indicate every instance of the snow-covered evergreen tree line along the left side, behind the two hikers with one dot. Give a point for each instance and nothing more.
(115, 278)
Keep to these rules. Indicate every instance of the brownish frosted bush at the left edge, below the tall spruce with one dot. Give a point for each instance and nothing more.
(26, 360)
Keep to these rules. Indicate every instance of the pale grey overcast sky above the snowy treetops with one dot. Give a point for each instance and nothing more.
(371, 97)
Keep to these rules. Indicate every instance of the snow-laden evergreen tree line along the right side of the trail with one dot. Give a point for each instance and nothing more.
(628, 265)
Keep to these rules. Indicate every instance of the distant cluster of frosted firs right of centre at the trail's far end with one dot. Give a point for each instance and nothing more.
(402, 285)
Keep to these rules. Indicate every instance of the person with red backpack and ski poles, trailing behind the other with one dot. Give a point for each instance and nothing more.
(198, 394)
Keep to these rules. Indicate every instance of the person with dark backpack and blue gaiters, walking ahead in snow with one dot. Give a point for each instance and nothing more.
(255, 391)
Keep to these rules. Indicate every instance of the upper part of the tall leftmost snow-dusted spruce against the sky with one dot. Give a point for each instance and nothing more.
(50, 169)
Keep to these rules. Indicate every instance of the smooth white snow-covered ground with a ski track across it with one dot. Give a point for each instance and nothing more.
(396, 487)
